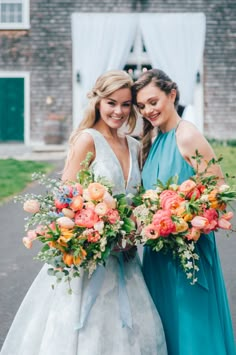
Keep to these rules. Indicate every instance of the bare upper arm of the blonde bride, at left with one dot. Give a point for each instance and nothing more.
(76, 155)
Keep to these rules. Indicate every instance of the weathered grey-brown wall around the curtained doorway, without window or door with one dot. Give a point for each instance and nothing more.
(46, 51)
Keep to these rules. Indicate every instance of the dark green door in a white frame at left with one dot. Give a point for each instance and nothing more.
(11, 109)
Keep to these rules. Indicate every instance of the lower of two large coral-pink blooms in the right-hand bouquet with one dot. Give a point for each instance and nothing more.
(163, 223)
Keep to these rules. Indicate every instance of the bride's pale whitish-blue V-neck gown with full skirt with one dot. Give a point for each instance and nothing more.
(112, 313)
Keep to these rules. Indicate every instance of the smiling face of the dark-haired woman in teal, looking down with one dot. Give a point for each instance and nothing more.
(155, 105)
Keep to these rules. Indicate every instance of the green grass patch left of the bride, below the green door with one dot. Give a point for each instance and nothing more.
(15, 175)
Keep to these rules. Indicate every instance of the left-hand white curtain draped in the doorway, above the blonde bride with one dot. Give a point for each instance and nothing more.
(101, 42)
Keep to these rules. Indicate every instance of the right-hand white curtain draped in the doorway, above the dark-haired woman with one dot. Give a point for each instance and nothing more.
(175, 44)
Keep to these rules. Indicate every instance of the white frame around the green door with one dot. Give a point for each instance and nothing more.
(26, 76)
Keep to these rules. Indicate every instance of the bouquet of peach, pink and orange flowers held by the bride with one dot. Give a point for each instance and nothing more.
(78, 223)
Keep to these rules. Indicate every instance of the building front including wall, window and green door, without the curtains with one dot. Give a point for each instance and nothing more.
(36, 74)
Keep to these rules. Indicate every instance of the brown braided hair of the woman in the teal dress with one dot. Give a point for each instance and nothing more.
(164, 83)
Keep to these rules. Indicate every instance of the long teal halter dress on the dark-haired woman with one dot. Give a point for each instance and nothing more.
(196, 318)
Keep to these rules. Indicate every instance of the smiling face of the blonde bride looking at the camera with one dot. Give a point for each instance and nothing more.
(115, 109)
